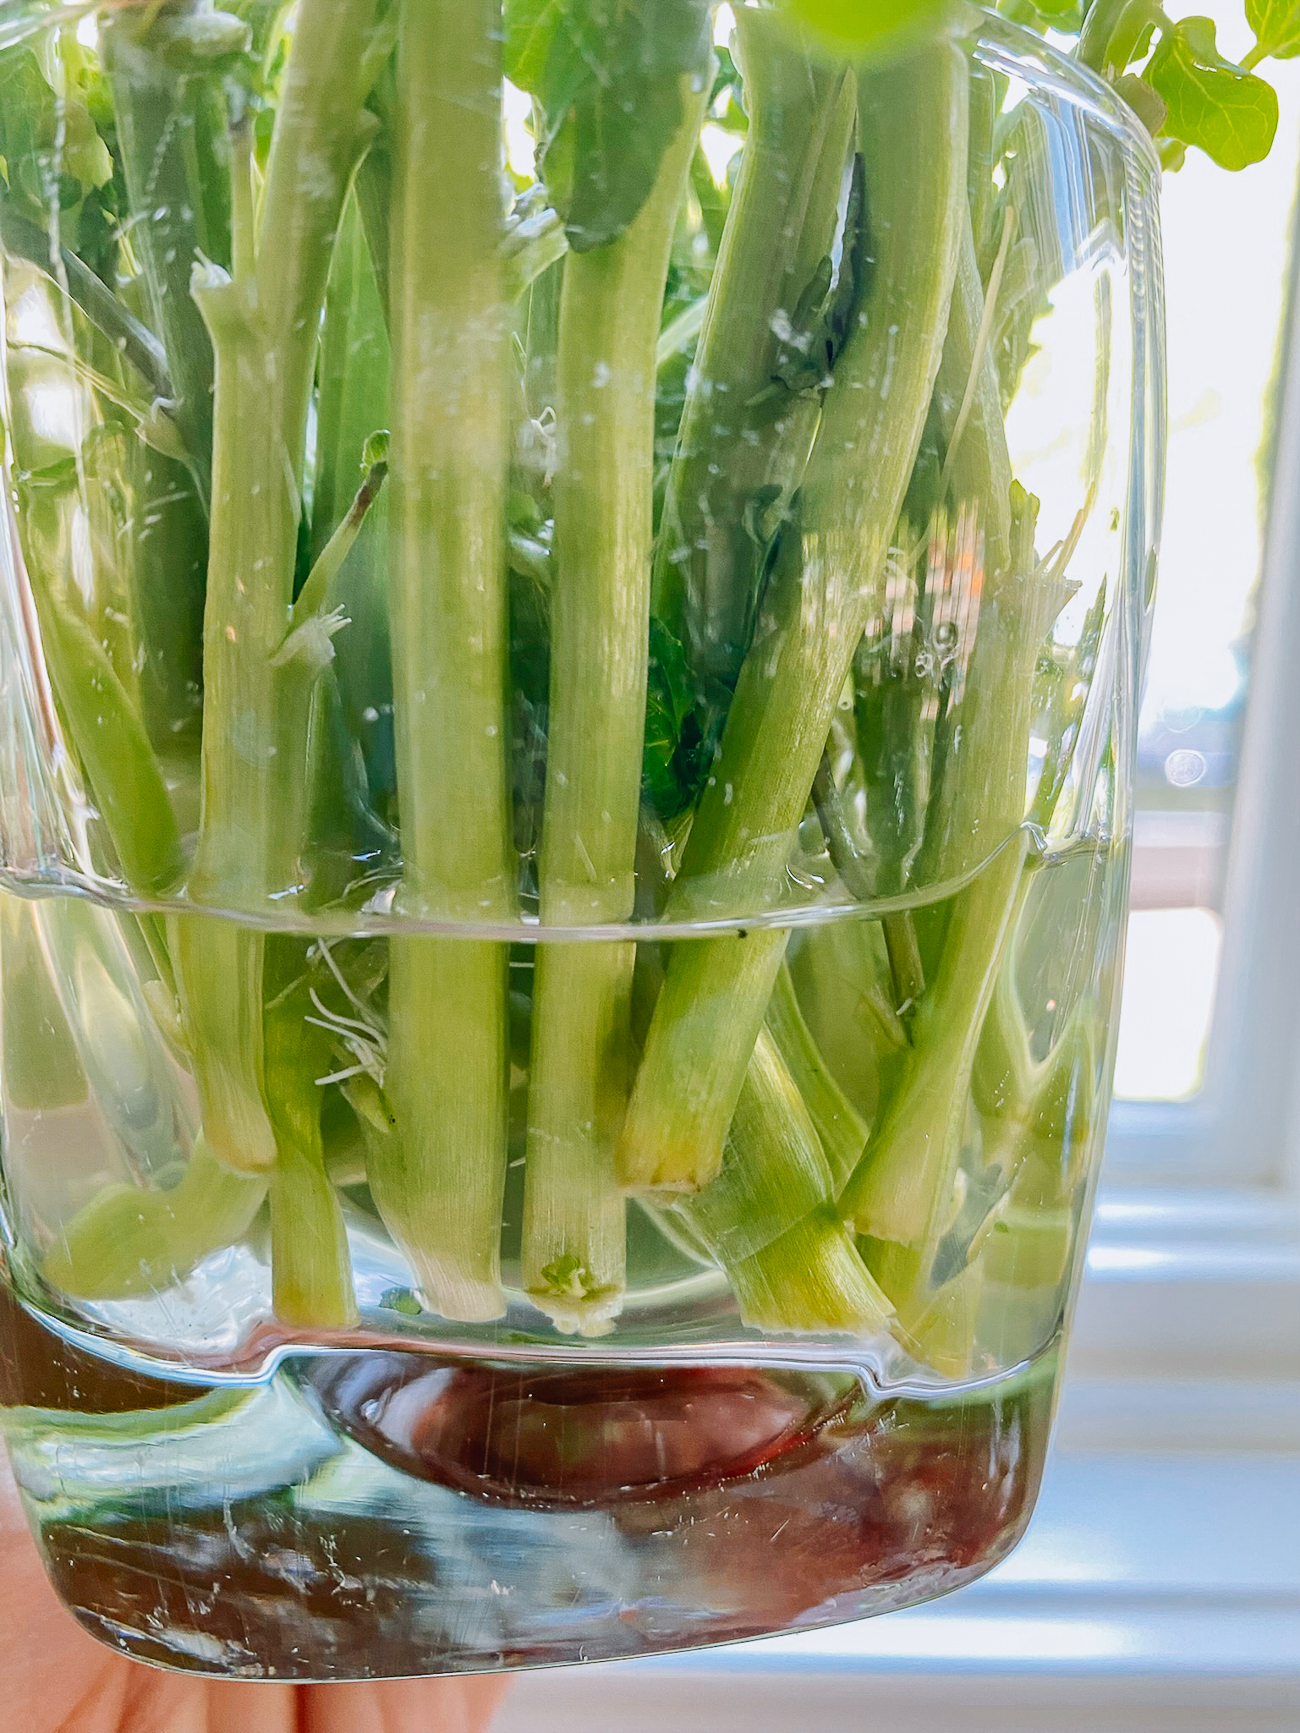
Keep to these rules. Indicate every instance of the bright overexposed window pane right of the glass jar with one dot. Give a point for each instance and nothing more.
(1226, 308)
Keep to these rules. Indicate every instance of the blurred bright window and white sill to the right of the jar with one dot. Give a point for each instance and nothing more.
(1159, 1588)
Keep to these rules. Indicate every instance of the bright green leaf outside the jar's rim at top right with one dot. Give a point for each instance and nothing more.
(1211, 103)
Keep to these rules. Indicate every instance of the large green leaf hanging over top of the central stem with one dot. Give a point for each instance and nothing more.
(609, 79)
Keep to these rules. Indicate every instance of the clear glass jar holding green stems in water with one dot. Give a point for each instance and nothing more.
(568, 675)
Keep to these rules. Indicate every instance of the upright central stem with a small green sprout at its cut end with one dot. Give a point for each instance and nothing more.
(575, 1230)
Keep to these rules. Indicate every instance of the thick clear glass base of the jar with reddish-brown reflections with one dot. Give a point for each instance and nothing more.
(382, 1516)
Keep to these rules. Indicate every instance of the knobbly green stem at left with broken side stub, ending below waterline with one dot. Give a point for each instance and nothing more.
(264, 330)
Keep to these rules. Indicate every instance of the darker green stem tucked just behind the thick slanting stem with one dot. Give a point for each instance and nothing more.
(739, 438)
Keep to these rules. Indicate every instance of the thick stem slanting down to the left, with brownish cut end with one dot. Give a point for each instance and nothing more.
(826, 585)
